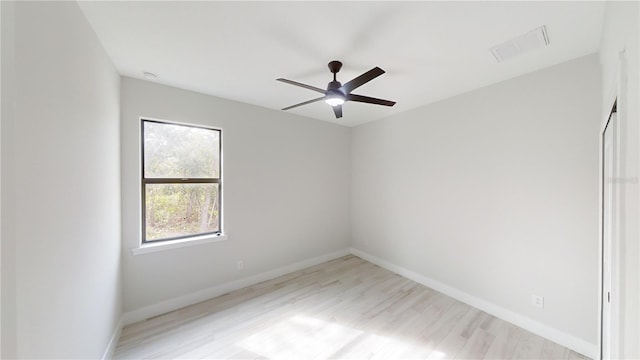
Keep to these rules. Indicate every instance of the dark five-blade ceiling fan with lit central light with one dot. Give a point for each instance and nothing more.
(337, 94)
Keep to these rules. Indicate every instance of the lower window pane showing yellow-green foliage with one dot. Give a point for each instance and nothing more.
(174, 210)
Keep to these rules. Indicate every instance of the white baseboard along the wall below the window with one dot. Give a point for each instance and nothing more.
(166, 306)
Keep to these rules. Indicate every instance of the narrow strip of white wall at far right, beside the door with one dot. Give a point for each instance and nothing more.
(621, 79)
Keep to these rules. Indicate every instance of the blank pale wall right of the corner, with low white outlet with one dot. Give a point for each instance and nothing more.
(494, 193)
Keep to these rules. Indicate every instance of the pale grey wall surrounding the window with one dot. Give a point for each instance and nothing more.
(286, 192)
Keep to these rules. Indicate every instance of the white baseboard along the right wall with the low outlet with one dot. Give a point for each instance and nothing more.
(560, 337)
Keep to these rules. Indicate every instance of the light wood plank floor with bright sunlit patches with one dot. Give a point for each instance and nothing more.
(347, 308)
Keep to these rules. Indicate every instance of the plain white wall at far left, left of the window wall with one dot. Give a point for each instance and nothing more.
(64, 172)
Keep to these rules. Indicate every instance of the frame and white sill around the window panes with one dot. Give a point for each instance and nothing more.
(219, 234)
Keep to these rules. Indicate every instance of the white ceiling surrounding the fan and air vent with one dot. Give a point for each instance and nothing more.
(430, 50)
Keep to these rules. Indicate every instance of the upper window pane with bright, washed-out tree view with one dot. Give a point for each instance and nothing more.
(177, 151)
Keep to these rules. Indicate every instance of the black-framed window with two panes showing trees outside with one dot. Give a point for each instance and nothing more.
(181, 181)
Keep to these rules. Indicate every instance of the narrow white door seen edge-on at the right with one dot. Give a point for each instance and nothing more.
(609, 241)
